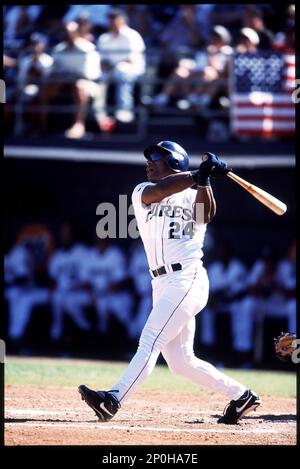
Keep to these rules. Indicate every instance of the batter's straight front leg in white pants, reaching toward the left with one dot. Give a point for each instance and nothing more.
(180, 298)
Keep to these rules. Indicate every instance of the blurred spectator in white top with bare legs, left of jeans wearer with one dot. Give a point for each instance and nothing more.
(76, 65)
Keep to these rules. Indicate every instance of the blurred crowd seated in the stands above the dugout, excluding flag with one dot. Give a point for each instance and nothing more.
(93, 56)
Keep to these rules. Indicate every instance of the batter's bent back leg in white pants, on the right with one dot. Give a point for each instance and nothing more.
(180, 357)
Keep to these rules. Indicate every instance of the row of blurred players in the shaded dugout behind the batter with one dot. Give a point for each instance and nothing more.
(68, 278)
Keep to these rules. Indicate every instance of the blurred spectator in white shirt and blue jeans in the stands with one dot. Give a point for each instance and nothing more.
(123, 63)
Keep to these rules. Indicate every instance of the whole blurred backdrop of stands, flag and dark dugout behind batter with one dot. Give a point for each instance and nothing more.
(88, 87)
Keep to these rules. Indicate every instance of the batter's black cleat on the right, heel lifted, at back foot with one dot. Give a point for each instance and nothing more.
(235, 410)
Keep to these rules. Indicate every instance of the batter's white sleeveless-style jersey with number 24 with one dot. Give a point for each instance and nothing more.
(168, 229)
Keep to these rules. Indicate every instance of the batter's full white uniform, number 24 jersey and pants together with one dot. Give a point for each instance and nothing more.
(178, 295)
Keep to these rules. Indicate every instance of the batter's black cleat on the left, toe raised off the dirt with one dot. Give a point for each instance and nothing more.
(103, 403)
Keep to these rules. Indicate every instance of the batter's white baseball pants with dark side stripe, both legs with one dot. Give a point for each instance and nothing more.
(170, 328)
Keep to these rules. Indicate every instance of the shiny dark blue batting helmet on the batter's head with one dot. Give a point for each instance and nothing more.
(175, 156)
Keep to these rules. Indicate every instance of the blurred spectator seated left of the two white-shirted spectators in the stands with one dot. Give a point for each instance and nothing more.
(34, 67)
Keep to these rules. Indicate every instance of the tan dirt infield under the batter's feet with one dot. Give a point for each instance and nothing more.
(50, 416)
